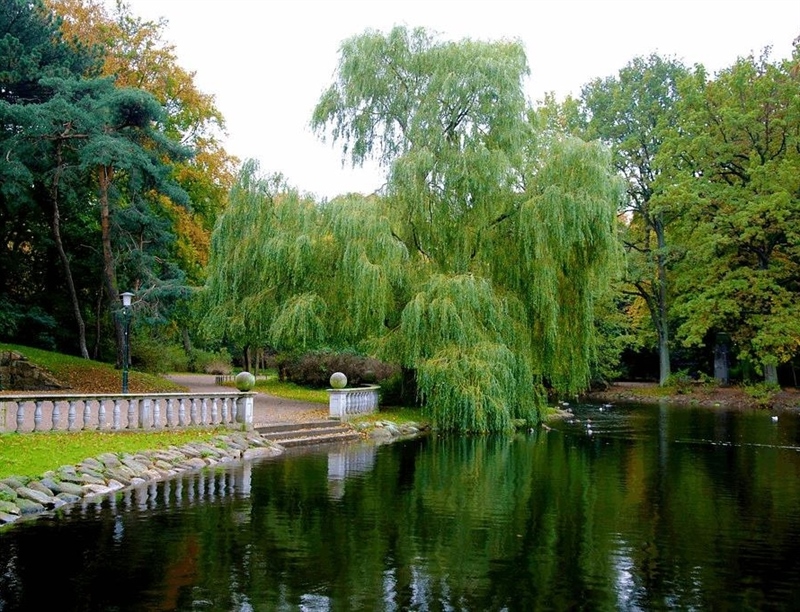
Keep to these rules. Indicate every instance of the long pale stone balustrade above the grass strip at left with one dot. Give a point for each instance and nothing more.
(124, 412)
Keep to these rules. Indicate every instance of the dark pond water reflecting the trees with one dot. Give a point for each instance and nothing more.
(622, 508)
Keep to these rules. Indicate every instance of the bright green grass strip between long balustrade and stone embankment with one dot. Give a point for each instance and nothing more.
(32, 454)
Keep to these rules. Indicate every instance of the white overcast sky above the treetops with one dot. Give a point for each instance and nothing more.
(268, 61)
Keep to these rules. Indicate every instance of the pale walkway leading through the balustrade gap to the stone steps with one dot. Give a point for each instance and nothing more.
(267, 409)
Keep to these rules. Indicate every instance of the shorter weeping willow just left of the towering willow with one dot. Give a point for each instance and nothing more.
(288, 272)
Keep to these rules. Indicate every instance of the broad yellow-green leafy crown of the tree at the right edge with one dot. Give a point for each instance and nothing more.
(736, 160)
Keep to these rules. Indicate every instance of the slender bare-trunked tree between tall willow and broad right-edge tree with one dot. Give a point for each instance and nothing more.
(633, 113)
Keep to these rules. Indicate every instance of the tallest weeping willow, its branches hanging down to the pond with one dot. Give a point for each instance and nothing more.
(509, 230)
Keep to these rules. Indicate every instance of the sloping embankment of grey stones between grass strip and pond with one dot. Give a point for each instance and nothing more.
(111, 472)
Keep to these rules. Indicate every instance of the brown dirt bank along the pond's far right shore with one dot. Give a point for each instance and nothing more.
(730, 397)
